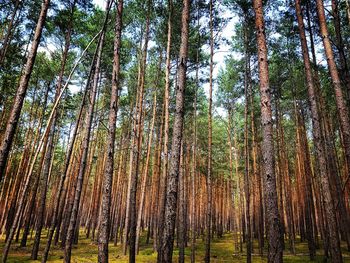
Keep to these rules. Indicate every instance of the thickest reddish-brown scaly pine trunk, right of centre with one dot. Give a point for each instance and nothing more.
(275, 248)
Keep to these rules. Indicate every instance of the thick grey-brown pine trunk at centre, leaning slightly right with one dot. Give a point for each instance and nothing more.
(172, 183)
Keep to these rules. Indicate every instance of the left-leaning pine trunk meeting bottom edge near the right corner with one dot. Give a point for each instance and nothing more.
(319, 145)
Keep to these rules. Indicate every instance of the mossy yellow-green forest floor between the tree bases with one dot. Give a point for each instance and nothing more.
(221, 251)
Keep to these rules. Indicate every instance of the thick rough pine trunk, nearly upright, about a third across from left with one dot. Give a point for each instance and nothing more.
(108, 172)
